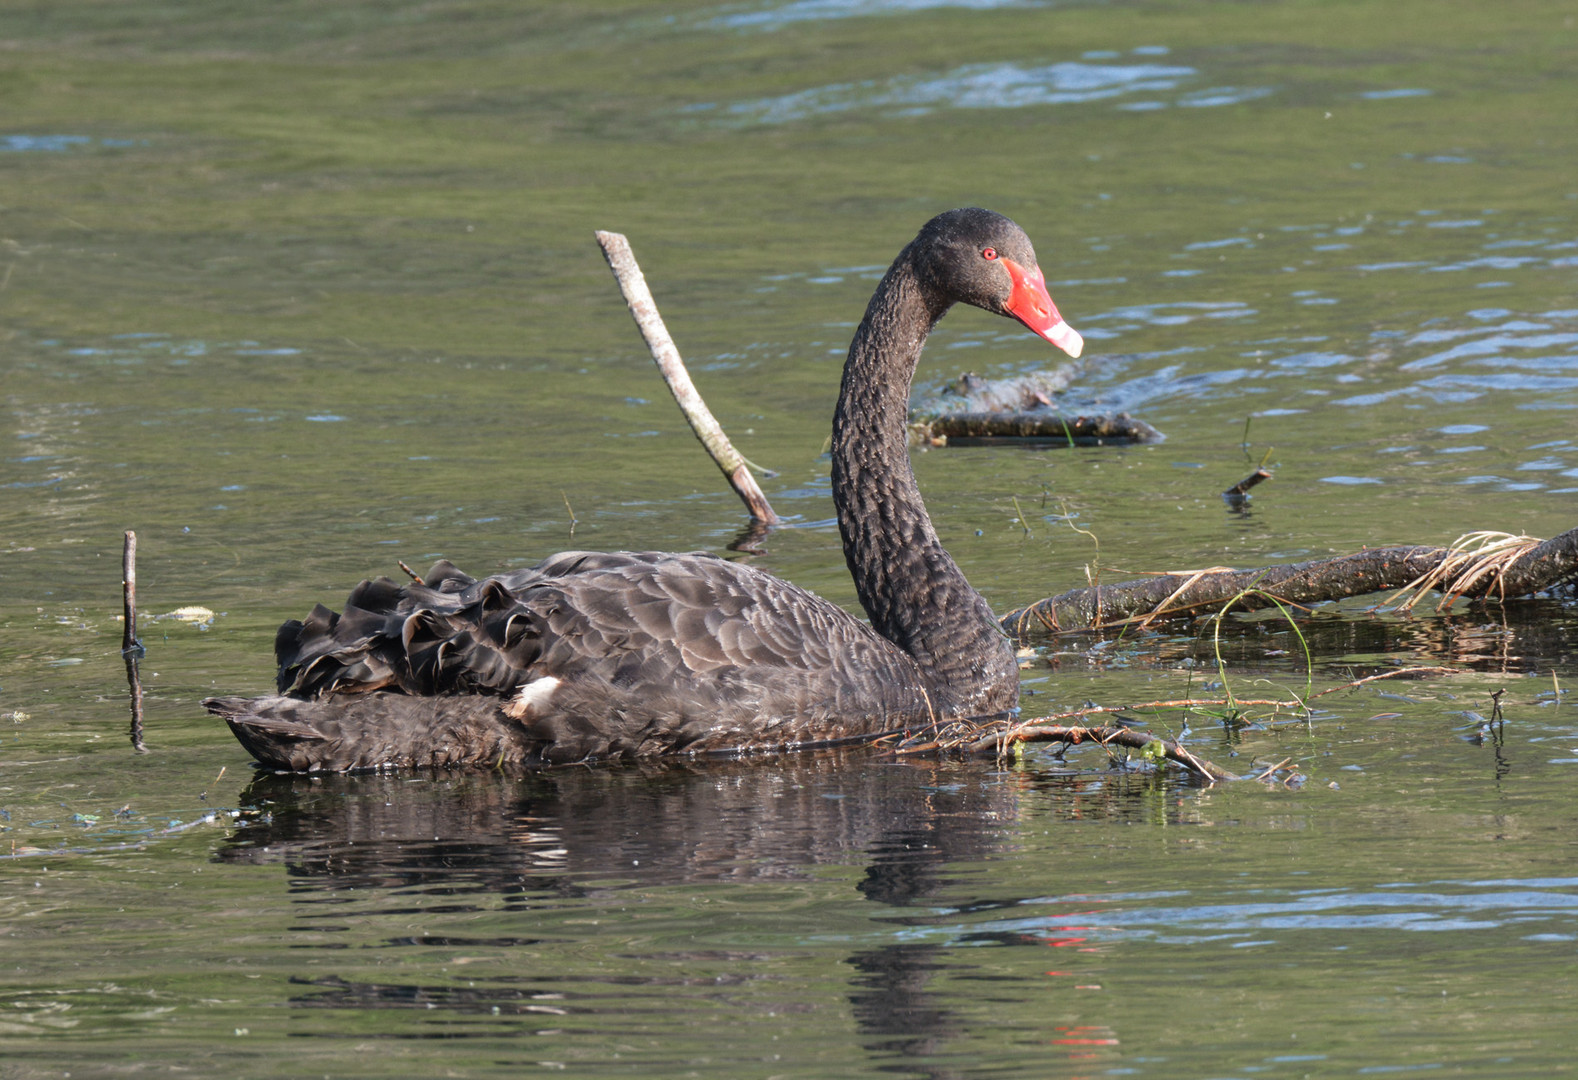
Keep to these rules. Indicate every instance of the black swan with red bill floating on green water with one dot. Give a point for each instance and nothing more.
(594, 656)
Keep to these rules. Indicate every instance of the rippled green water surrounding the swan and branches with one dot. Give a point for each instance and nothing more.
(297, 291)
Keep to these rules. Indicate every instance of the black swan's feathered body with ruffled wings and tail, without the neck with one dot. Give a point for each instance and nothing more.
(588, 656)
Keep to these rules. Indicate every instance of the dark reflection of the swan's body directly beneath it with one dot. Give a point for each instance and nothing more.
(662, 822)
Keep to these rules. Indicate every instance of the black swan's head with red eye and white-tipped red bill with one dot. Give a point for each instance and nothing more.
(985, 260)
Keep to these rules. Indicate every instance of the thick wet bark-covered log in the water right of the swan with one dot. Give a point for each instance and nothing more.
(1172, 596)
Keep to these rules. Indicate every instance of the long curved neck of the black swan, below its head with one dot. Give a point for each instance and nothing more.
(911, 588)
